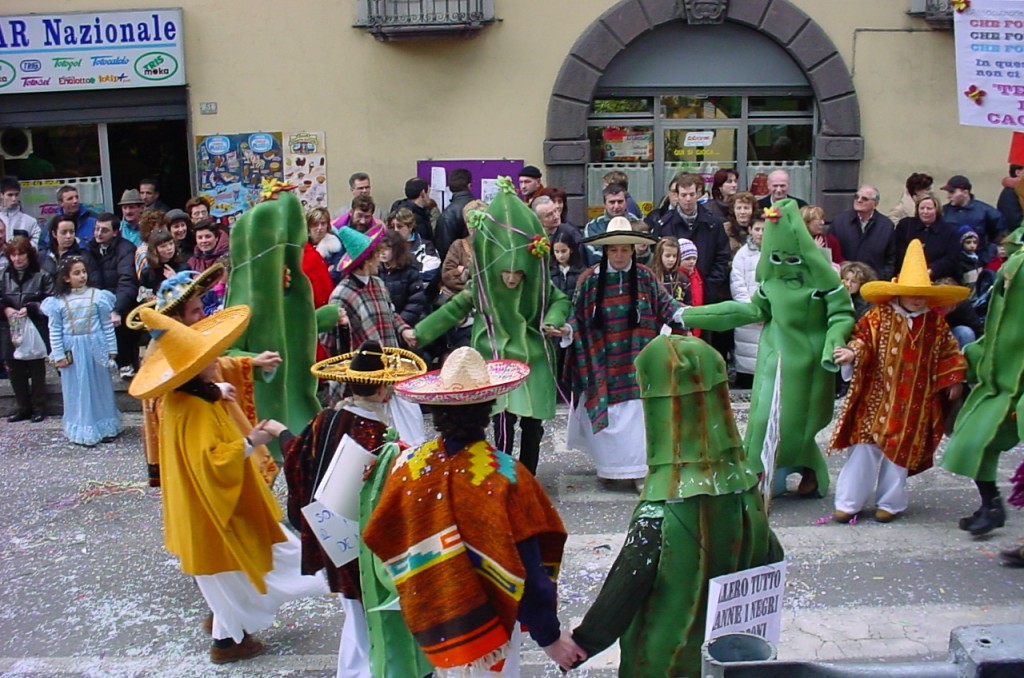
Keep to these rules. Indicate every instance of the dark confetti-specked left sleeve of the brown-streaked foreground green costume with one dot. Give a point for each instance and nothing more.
(625, 590)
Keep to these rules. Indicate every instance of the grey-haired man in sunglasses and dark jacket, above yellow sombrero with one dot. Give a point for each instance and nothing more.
(867, 235)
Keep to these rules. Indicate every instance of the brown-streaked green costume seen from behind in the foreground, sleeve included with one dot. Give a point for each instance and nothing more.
(701, 517)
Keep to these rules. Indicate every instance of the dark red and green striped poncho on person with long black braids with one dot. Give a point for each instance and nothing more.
(602, 358)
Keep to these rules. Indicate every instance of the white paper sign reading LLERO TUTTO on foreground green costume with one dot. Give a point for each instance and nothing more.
(748, 602)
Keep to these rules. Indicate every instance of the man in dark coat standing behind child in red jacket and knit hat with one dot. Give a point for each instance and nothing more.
(694, 222)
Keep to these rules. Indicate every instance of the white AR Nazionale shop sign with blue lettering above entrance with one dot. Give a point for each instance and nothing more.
(92, 51)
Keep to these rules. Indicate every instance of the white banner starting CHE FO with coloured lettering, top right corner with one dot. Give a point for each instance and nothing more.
(990, 39)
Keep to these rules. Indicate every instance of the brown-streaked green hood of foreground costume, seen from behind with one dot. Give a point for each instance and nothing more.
(694, 447)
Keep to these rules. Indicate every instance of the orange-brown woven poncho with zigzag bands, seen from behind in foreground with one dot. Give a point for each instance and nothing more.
(447, 528)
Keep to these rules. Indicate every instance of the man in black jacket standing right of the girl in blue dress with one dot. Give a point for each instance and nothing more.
(111, 262)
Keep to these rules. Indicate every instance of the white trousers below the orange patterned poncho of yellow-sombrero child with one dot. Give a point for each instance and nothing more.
(866, 472)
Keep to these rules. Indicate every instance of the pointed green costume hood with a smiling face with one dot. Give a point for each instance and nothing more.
(790, 255)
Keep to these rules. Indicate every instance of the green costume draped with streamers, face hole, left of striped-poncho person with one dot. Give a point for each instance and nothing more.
(508, 323)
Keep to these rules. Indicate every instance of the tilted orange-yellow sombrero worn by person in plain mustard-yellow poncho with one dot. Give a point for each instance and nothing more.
(184, 352)
